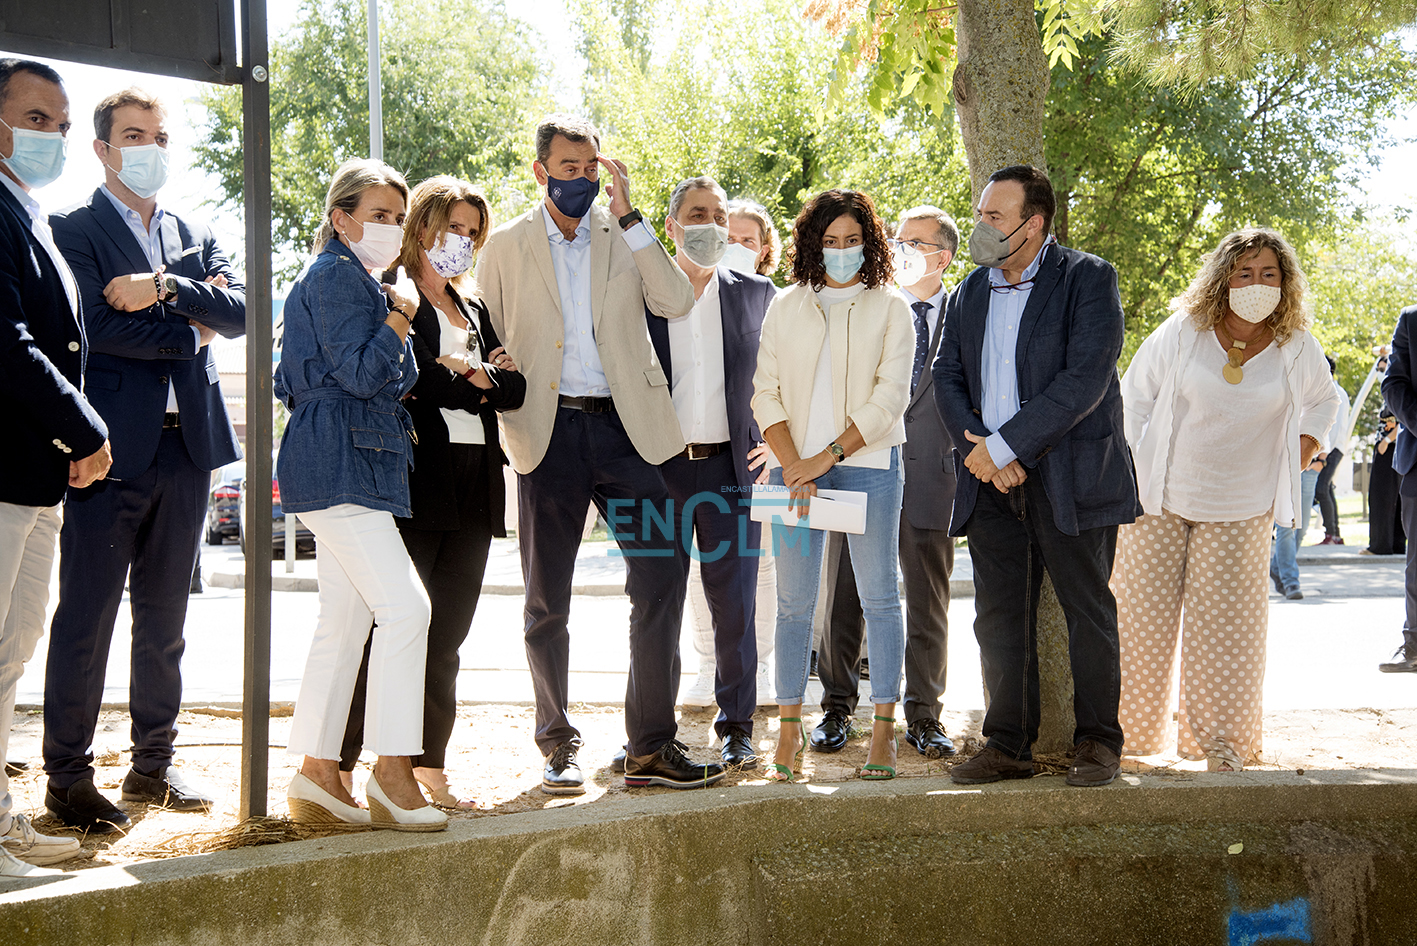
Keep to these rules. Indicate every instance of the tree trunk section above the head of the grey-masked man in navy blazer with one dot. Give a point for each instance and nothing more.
(1001, 86)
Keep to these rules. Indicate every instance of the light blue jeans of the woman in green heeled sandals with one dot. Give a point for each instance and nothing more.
(798, 559)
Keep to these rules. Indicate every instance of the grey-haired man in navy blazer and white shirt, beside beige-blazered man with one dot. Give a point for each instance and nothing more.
(711, 356)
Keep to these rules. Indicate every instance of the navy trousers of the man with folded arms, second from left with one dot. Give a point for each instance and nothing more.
(145, 530)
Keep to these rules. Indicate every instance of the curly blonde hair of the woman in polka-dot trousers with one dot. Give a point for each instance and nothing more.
(1208, 298)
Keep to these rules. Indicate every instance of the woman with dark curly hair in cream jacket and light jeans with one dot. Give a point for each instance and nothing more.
(830, 394)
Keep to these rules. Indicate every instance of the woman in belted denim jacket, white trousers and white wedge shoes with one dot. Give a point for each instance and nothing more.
(346, 365)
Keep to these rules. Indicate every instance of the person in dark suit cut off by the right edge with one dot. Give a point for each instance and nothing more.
(1401, 394)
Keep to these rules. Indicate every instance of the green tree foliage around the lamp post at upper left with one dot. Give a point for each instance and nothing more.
(463, 90)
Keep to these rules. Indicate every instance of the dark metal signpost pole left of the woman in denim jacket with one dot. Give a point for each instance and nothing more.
(256, 699)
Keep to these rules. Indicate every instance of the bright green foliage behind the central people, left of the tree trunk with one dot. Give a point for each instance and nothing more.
(739, 97)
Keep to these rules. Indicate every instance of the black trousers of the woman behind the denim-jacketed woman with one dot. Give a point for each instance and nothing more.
(451, 564)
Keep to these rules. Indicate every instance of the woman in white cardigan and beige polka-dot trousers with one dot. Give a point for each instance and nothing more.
(1226, 403)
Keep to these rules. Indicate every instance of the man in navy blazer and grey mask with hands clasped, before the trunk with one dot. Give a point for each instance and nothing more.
(1027, 383)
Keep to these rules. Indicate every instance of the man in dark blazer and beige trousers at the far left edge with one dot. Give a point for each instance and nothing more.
(53, 437)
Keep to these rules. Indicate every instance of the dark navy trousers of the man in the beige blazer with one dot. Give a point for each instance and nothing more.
(592, 460)
